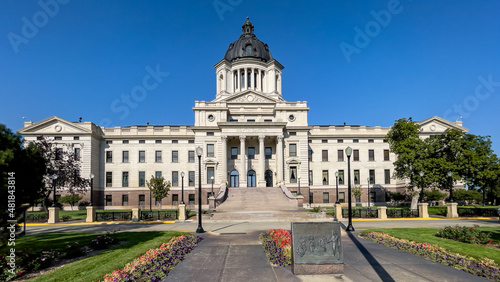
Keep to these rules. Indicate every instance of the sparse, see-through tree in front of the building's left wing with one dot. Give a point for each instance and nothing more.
(60, 159)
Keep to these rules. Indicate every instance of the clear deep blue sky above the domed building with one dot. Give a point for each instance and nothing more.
(359, 62)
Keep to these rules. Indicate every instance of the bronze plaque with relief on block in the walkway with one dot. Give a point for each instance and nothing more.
(316, 243)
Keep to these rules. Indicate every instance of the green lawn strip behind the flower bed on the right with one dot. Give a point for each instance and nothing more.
(427, 235)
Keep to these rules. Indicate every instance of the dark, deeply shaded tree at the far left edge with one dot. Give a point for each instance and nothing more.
(21, 173)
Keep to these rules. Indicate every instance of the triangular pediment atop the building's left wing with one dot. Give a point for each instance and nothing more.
(54, 125)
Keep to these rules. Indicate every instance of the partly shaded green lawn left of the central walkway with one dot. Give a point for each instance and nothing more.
(93, 268)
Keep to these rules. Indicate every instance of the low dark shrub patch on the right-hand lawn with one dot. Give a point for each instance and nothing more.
(470, 235)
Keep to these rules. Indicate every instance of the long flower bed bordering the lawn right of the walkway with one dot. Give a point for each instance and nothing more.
(484, 267)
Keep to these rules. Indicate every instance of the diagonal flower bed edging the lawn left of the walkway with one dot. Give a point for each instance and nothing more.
(156, 263)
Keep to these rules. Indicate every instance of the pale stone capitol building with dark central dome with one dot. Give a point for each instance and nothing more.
(250, 134)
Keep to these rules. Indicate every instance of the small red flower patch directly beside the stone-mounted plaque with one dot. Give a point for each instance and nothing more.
(277, 244)
